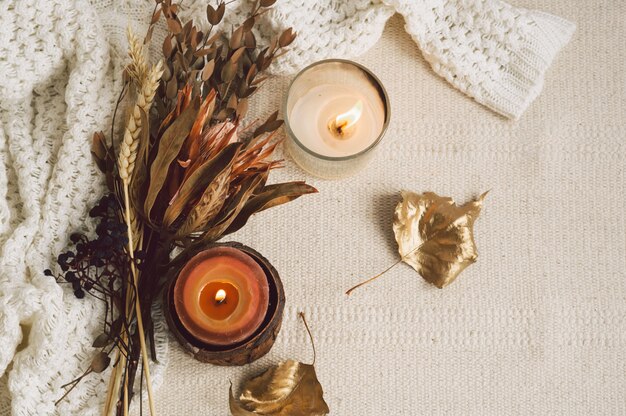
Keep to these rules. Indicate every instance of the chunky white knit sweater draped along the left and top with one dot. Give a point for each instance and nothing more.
(60, 63)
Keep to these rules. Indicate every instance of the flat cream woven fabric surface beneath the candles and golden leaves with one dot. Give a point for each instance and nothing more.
(538, 325)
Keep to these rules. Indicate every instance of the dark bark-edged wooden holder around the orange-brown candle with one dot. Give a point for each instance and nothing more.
(243, 352)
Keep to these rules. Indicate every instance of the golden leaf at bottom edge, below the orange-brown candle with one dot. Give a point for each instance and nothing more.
(288, 389)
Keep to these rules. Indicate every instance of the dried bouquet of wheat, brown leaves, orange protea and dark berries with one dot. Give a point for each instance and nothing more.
(184, 174)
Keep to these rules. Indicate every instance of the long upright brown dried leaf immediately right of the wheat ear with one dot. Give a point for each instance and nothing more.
(169, 146)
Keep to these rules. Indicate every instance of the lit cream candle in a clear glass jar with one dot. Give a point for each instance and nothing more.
(336, 113)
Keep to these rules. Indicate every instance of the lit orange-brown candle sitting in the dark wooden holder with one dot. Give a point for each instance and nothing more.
(221, 296)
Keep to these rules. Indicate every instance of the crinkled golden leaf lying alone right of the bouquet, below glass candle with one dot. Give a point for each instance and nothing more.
(435, 236)
